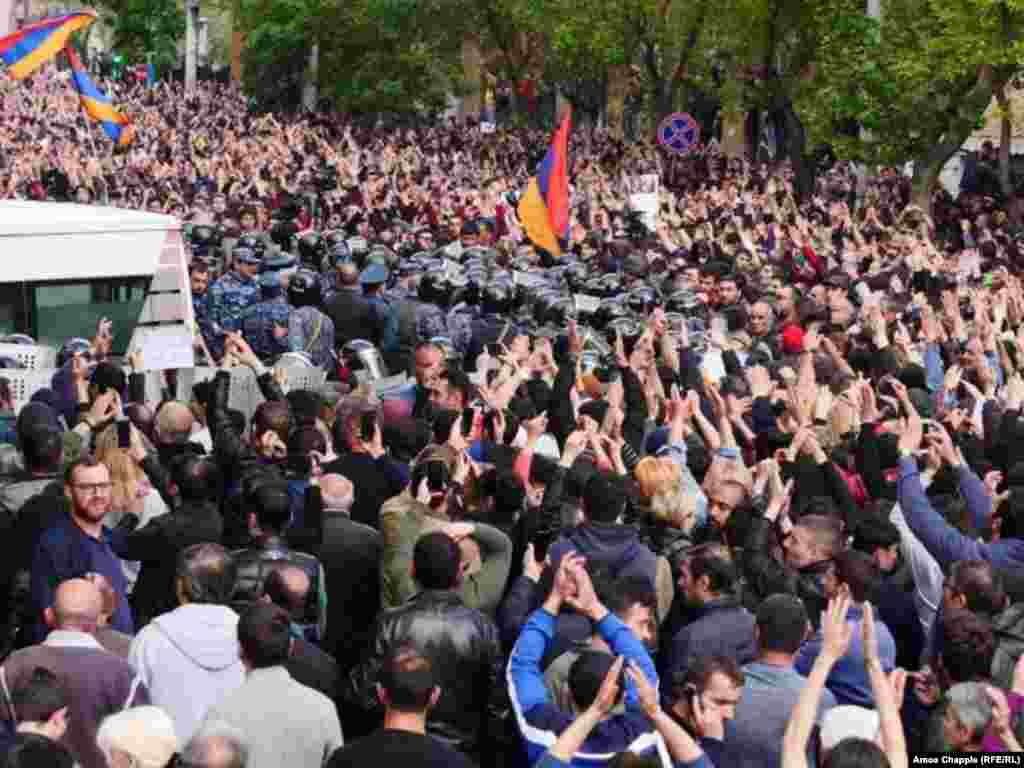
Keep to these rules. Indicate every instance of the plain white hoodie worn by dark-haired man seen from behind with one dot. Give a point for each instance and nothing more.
(189, 660)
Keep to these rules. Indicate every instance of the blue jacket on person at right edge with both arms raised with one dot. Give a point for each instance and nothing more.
(945, 543)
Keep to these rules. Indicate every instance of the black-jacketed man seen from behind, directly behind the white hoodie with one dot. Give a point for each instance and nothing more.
(198, 483)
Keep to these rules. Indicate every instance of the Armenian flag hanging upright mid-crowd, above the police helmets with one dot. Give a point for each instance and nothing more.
(544, 208)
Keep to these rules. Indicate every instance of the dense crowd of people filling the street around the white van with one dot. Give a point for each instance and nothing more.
(739, 491)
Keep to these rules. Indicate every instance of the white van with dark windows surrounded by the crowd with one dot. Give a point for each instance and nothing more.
(65, 267)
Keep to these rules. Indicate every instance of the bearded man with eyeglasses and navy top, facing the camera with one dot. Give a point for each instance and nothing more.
(79, 544)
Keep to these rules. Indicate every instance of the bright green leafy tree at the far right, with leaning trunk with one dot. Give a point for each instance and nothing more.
(918, 83)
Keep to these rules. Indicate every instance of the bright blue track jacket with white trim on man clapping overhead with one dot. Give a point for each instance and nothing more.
(541, 722)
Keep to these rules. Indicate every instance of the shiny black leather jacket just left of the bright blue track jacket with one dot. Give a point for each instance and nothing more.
(466, 651)
